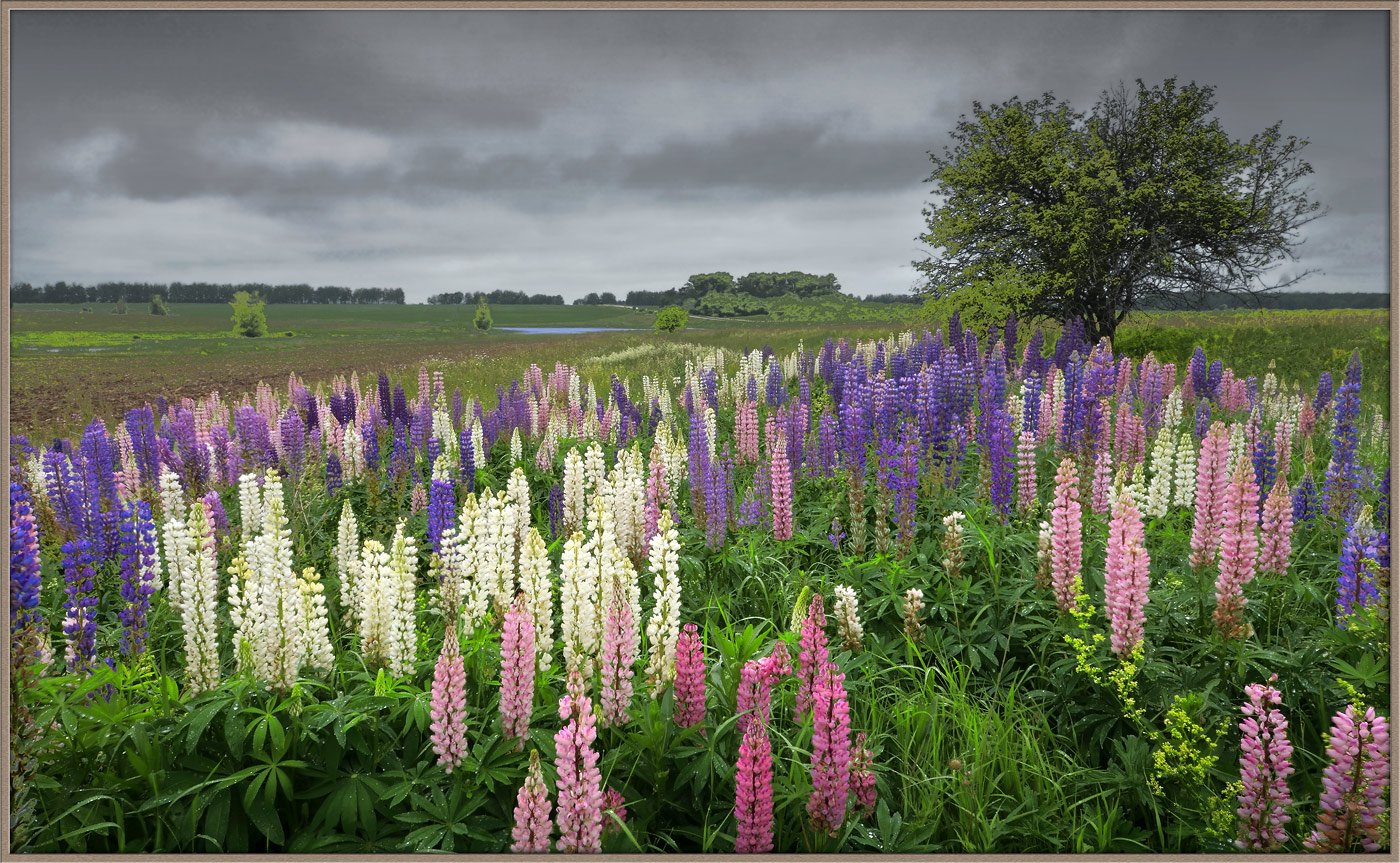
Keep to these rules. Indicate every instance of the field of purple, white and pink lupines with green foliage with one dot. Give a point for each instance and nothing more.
(937, 592)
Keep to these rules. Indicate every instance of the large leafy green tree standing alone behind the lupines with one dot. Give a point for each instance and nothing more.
(1088, 216)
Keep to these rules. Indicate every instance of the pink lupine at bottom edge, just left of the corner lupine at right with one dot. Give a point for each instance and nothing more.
(1265, 767)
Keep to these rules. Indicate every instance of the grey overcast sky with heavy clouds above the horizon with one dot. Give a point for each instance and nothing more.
(566, 152)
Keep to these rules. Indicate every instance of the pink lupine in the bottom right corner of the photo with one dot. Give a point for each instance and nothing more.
(1354, 784)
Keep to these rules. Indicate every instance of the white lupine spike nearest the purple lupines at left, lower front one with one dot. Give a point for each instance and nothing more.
(194, 548)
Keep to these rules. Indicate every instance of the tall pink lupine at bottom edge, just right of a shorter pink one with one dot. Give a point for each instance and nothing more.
(580, 796)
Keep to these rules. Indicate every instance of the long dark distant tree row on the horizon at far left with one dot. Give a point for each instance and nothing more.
(204, 292)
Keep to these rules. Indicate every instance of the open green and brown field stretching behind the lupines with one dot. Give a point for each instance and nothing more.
(69, 365)
